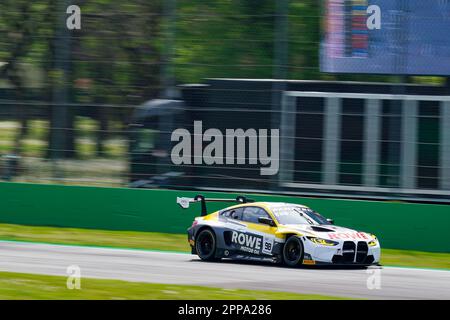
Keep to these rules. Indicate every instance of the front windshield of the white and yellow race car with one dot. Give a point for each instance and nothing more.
(298, 215)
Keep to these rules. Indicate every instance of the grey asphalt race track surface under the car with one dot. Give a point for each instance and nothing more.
(178, 268)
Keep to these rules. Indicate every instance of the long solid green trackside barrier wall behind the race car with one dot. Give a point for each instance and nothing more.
(422, 227)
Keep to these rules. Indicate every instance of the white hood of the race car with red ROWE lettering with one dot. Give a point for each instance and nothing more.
(330, 232)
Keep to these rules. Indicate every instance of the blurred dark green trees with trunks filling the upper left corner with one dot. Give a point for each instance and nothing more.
(120, 61)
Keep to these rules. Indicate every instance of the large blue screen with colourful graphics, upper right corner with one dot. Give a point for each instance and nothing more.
(386, 37)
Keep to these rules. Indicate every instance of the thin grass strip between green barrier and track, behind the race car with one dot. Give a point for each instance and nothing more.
(177, 242)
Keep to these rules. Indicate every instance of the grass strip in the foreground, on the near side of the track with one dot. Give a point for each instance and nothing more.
(35, 287)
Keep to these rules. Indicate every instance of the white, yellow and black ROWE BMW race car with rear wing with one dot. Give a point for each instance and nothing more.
(280, 232)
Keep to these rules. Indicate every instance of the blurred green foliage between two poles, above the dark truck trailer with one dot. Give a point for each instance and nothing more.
(224, 39)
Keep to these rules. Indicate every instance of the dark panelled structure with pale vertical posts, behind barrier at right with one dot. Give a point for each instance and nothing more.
(366, 142)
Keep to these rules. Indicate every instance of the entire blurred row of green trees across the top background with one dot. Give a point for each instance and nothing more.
(117, 57)
